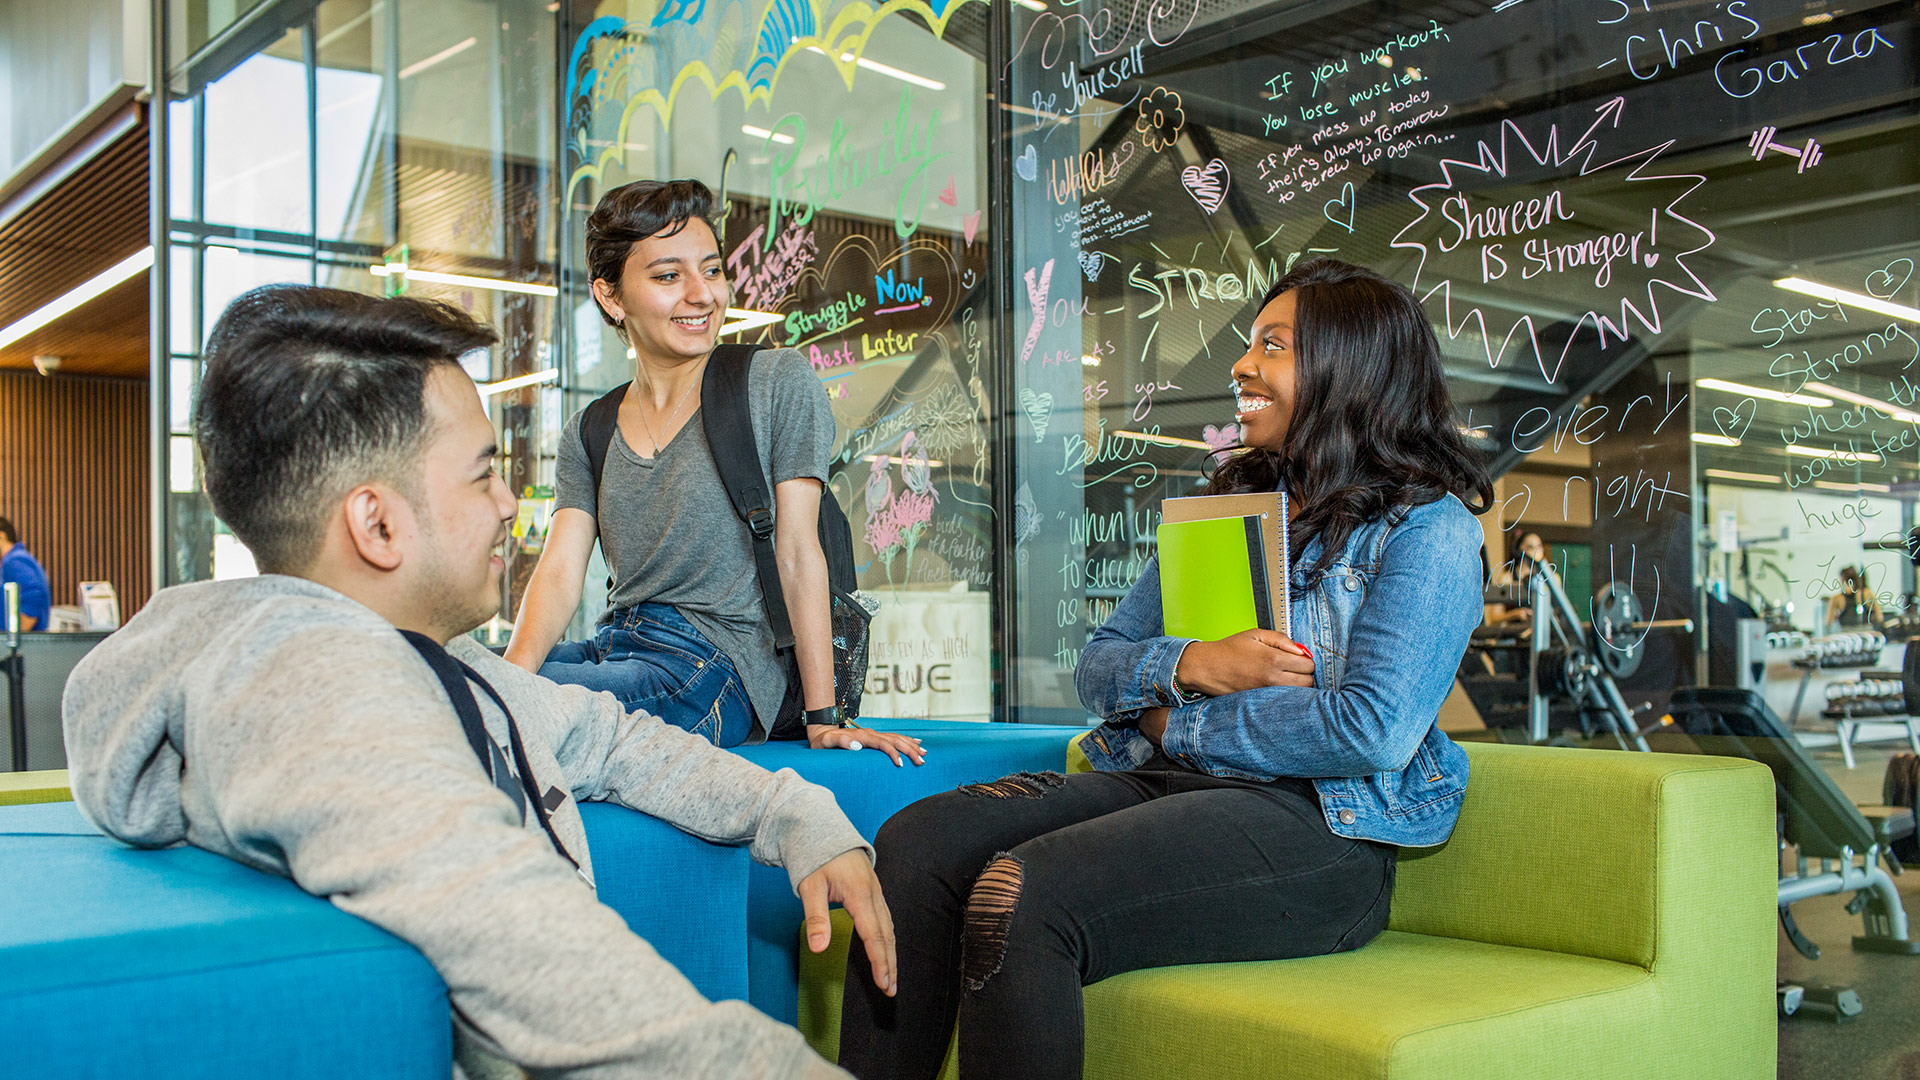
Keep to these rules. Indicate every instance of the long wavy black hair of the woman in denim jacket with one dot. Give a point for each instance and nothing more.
(1374, 424)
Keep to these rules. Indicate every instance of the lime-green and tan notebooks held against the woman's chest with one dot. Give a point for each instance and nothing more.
(1224, 566)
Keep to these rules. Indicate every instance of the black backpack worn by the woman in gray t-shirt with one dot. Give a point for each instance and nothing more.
(727, 416)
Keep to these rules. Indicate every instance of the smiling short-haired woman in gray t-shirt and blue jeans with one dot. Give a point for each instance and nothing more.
(686, 637)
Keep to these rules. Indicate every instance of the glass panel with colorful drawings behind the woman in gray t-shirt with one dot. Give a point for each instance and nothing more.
(850, 147)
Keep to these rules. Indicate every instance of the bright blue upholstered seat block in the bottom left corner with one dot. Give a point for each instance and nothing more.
(181, 964)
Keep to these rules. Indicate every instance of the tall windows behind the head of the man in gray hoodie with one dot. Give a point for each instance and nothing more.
(373, 147)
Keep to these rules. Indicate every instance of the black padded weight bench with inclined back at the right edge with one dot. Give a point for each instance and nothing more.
(1815, 818)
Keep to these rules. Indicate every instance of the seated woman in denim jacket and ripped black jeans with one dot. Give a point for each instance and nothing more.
(1249, 793)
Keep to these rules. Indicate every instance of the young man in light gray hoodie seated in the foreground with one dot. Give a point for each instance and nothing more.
(331, 722)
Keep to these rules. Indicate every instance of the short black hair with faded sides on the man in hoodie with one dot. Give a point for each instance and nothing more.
(310, 393)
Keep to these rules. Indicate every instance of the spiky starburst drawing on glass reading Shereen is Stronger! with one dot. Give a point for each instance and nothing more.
(1612, 291)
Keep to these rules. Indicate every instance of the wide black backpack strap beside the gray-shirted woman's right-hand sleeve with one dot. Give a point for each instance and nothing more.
(727, 414)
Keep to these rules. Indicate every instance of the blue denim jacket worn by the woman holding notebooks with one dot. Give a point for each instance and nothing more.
(1387, 622)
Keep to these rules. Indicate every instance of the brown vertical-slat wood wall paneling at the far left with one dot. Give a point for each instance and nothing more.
(74, 479)
